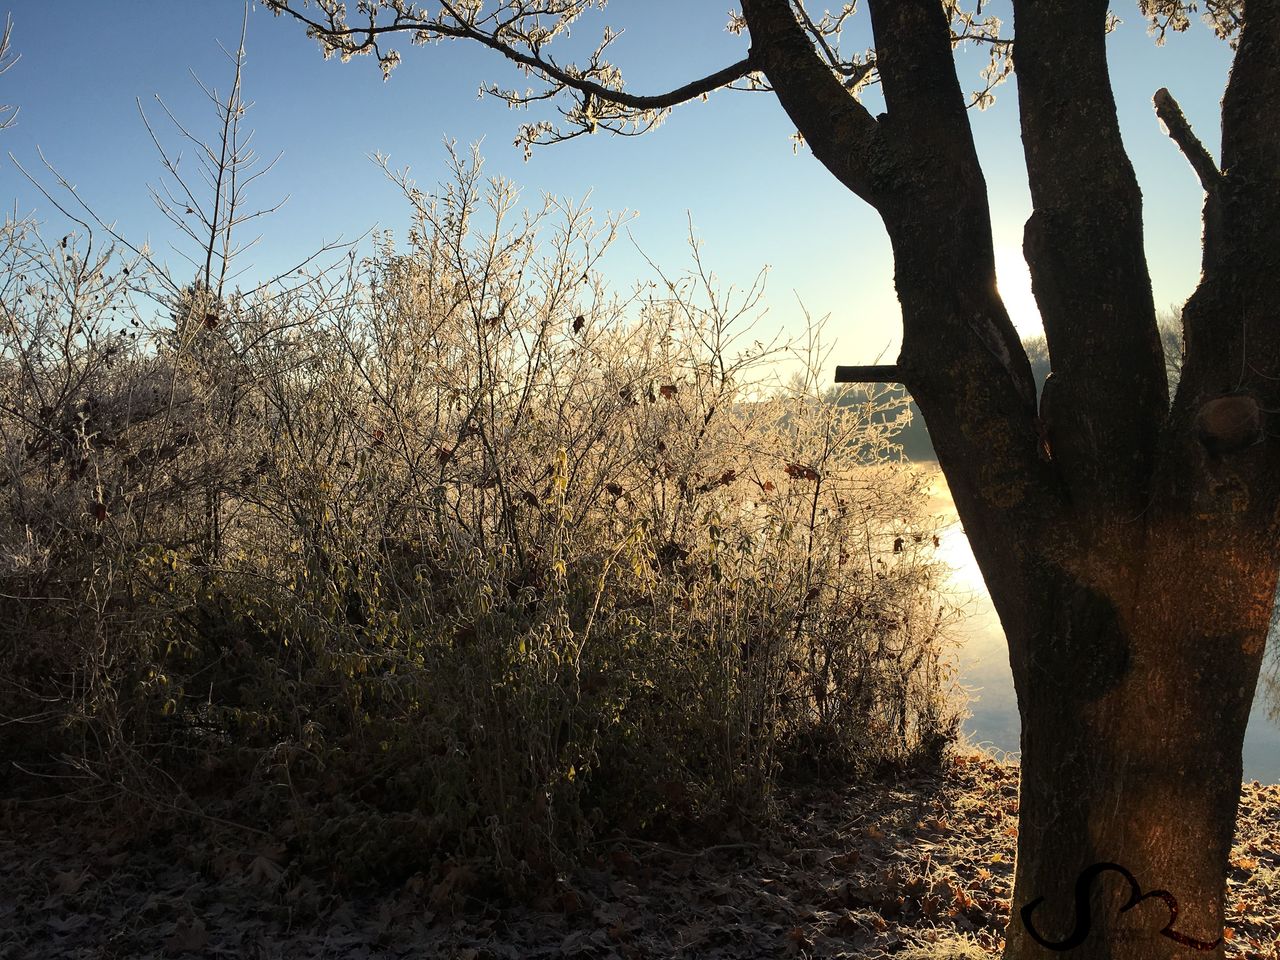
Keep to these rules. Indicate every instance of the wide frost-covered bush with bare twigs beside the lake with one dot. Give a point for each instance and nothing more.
(455, 556)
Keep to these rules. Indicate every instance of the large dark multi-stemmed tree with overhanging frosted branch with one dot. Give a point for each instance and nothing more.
(1128, 541)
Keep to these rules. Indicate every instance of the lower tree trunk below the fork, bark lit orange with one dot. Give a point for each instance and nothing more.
(1133, 715)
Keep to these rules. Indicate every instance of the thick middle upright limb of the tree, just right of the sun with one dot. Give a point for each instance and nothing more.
(1085, 249)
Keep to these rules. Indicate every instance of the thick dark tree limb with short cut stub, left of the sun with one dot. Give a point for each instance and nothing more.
(961, 356)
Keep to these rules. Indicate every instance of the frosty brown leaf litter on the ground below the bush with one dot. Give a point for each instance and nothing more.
(918, 867)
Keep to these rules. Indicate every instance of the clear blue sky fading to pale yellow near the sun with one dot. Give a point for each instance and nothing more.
(728, 163)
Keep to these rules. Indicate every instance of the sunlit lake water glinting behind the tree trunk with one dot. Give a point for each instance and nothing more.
(985, 660)
